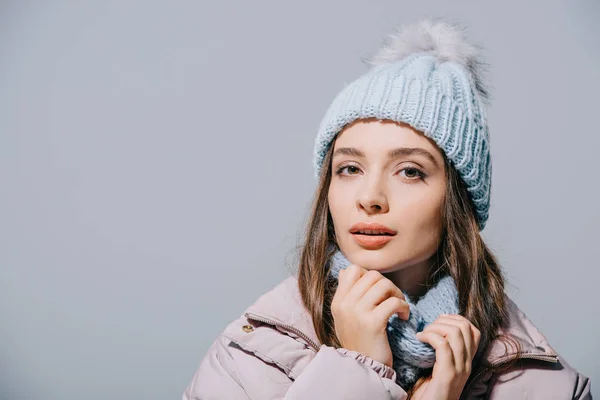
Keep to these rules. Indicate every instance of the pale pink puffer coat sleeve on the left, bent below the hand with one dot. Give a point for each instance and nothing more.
(229, 372)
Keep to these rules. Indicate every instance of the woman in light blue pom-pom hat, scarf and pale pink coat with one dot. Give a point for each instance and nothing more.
(397, 296)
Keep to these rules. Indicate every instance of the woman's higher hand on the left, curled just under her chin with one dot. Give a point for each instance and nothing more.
(361, 307)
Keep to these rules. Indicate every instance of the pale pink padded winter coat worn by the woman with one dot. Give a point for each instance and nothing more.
(272, 352)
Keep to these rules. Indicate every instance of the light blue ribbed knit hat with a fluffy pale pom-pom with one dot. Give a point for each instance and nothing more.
(429, 76)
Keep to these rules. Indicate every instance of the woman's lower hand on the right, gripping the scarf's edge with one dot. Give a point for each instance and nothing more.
(455, 341)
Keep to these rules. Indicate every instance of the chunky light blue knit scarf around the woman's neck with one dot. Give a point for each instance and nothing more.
(412, 357)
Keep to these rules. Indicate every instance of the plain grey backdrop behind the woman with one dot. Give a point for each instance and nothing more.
(155, 167)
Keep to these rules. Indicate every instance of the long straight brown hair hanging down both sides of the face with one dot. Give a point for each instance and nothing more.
(462, 254)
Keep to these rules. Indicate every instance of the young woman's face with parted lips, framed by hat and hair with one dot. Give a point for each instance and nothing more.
(392, 175)
